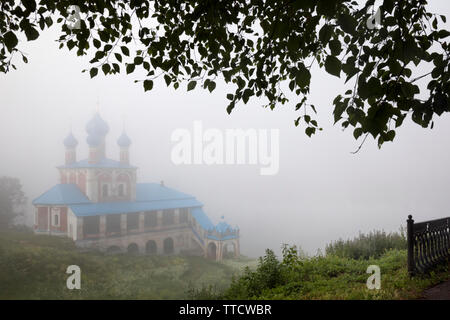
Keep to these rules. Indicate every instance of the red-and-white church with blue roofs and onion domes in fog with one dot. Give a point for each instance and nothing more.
(99, 205)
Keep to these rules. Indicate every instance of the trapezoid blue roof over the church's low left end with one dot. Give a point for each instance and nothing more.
(62, 194)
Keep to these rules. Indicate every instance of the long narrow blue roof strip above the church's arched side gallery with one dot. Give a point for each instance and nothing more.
(102, 208)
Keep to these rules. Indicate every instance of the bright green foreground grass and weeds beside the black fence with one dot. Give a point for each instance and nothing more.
(330, 277)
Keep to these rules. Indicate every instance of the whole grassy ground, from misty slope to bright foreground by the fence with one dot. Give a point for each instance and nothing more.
(34, 267)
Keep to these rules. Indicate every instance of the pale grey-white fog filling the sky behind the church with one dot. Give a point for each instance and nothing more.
(321, 192)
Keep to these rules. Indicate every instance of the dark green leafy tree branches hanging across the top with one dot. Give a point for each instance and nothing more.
(258, 45)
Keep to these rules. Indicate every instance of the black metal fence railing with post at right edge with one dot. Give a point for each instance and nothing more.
(428, 244)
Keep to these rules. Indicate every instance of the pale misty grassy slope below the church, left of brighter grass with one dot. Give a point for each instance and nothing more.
(33, 267)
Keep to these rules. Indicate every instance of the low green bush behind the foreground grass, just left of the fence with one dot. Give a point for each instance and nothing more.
(374, 244)
